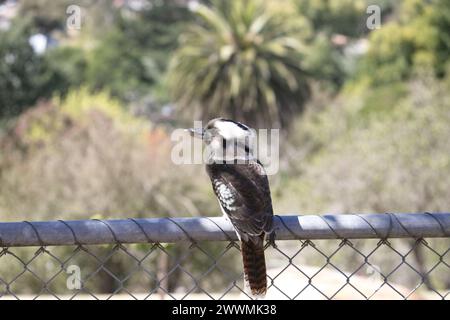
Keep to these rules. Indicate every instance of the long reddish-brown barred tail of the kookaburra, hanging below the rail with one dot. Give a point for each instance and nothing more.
(254, 266)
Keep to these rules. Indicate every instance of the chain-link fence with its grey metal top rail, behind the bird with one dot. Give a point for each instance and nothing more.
(378, 256)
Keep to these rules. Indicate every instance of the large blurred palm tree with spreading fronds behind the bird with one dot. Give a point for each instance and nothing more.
(242, 59)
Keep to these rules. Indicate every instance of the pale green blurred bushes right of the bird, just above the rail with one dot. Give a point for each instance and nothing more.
(377, 162)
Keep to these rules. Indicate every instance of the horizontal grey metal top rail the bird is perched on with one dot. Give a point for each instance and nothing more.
(164, 230)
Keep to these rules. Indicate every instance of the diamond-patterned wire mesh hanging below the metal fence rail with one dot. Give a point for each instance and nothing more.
(379, 267)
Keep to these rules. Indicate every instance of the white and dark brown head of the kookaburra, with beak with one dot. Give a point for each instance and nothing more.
(226, 139)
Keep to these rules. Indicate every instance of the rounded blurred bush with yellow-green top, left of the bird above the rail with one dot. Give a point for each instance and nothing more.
(91, 157)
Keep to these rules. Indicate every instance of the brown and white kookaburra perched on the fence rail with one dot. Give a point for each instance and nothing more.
(242, 188)
